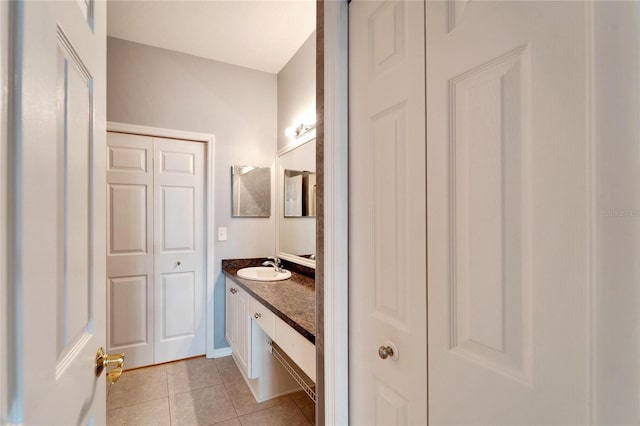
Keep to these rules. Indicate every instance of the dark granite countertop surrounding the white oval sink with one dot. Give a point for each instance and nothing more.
(292, 300)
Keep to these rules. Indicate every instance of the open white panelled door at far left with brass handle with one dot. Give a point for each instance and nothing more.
(57, 201)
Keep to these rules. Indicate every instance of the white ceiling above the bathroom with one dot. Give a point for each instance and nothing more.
(258, 34)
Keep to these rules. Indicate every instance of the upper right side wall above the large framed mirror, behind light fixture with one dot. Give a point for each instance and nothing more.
(297, 90)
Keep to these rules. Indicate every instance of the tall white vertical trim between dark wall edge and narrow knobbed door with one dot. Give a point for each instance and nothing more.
(336, 219)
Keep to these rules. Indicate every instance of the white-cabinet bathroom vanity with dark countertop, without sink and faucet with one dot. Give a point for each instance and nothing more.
(270, 326)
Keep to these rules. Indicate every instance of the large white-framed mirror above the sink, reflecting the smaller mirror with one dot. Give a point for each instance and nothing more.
(296, 202)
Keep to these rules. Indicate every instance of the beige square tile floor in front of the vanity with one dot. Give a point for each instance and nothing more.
(199, 391)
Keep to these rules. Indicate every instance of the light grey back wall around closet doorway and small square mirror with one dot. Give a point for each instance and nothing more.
(161, 88)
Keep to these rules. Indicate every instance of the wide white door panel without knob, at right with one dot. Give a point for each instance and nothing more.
(508, 209)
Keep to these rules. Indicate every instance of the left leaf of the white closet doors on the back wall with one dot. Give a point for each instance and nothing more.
(130, 247)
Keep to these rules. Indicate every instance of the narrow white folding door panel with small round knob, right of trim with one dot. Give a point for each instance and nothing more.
(387, 226)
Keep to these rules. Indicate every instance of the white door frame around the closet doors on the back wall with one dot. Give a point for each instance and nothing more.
(209, 140)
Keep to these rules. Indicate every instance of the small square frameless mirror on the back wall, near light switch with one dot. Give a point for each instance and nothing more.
(251, 191)
